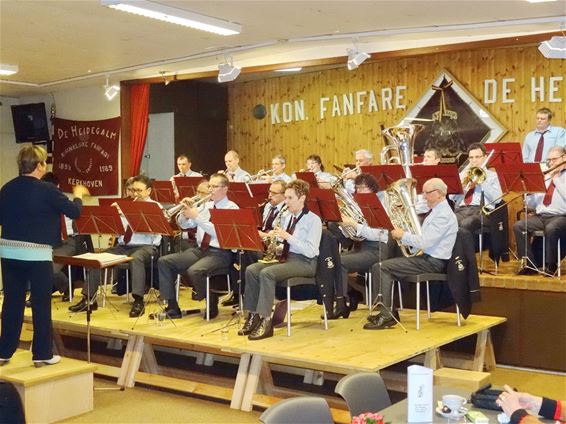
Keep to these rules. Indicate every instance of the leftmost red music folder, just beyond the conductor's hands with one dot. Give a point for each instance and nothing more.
(100, 220)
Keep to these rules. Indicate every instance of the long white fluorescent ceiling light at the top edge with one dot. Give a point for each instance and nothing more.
(174, 15)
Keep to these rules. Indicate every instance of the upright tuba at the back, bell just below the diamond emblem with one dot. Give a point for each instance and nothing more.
(402, 139)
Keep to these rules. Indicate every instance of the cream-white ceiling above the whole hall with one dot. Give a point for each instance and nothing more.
(66, 44)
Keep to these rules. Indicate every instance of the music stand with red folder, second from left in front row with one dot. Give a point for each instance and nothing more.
(146, 217)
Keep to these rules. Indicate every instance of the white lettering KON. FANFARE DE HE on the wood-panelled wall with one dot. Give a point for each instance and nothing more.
(504, 90)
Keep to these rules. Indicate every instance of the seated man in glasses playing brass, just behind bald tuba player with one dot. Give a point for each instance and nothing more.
(478, 192)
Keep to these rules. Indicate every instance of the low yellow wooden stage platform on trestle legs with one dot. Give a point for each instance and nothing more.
(342, 349)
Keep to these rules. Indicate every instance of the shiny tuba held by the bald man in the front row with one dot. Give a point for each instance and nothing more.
(401, 209)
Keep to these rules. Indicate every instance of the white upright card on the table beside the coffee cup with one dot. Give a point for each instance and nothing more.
(419, 394)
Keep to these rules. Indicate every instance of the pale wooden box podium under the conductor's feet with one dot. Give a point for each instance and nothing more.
(51, 393)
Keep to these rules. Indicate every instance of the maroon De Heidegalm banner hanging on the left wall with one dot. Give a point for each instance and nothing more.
(86, 152)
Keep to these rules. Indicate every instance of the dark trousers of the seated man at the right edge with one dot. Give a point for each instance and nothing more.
(553, 226)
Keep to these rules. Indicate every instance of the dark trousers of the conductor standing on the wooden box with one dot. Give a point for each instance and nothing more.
(15, 277)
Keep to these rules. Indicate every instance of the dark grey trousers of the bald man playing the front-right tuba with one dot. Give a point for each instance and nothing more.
(400, 268)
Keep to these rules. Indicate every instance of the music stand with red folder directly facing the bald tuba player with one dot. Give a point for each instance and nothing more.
(376, 217)
